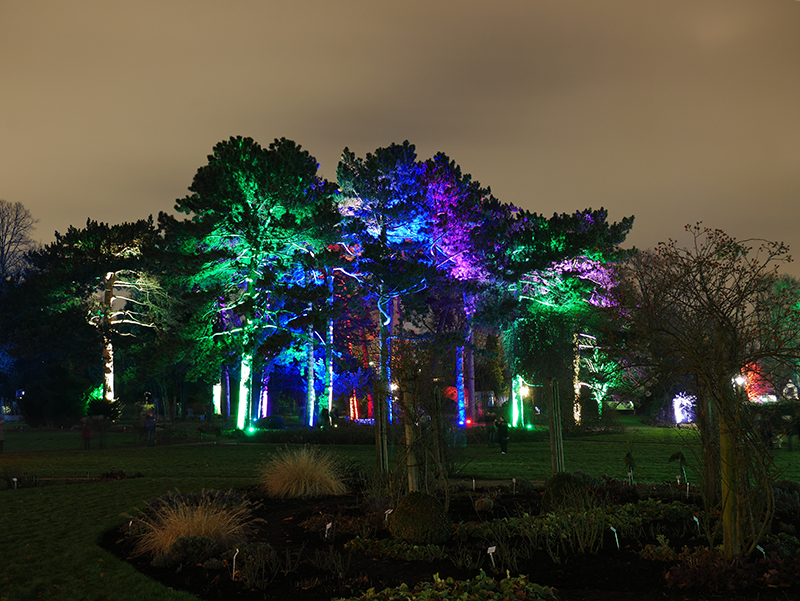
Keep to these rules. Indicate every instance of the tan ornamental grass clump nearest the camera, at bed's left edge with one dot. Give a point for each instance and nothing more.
(223, 517)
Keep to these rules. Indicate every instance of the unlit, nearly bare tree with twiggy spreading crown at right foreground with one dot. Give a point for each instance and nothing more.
(708, 311)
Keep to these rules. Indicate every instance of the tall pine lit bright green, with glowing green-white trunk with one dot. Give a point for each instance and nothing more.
(255, 213)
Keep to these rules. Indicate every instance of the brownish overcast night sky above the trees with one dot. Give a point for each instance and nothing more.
(675, 111)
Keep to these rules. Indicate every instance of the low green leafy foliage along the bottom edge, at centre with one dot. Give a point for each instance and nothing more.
(482, 588)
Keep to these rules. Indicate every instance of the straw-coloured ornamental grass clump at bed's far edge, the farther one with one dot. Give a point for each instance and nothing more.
(303, 472)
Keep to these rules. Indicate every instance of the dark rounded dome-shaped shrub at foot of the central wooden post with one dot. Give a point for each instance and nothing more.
(420, 519)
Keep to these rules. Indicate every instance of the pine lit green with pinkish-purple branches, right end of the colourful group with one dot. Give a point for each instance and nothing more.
(556, 269)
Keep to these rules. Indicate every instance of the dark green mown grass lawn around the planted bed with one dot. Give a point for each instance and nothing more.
(49, 534)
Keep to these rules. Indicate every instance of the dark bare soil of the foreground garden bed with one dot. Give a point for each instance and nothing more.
(299, 527)
